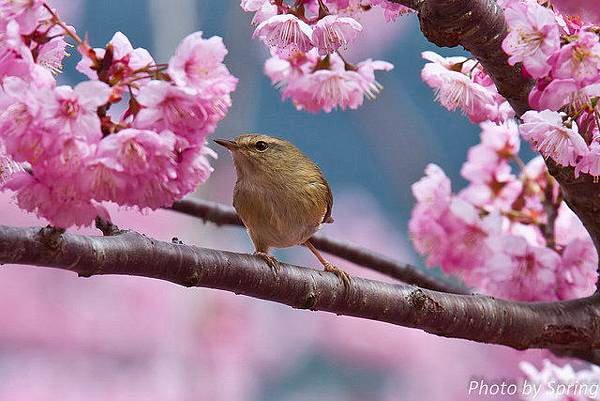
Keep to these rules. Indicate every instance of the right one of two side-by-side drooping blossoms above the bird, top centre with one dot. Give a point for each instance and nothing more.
(332, 32)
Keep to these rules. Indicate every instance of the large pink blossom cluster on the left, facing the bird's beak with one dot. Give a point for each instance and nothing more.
(75, 153)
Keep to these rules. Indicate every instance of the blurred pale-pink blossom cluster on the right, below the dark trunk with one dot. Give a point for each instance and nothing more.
(508, 235)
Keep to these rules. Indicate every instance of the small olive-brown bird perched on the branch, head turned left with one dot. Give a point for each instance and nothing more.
(280, 195)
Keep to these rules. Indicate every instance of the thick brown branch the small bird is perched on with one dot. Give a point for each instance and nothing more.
(560, 325)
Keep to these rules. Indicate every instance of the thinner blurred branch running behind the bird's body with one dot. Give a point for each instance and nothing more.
(225, 215)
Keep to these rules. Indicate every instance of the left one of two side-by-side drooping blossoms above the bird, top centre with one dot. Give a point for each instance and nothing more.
(286, 33)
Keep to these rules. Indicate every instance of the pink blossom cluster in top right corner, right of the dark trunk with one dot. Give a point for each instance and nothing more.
(562, 53)
